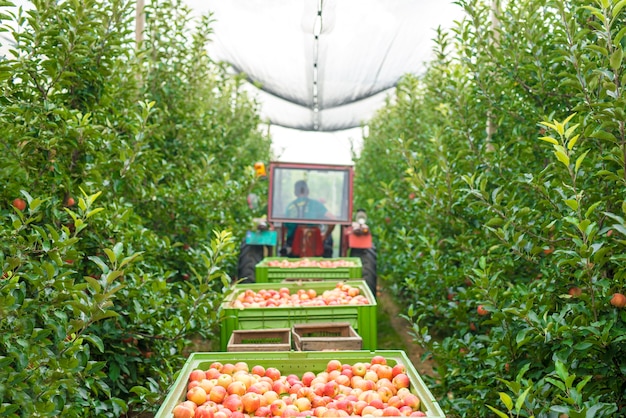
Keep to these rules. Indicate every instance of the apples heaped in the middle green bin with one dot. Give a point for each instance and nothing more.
(342, 294)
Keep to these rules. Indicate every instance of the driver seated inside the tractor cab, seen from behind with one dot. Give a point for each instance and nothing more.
(304, 207)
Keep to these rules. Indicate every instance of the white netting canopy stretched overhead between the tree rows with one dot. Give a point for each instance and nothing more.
(324, 65)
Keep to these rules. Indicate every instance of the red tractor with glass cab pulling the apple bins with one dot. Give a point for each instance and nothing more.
(306, 203)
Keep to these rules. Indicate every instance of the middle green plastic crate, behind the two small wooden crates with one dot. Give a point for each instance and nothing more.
(361, 317)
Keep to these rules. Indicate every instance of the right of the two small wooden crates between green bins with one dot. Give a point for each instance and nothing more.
(331, 336)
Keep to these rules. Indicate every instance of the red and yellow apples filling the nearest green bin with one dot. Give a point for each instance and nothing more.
(233, 390)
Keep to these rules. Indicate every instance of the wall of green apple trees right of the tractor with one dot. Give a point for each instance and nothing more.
(504, 188)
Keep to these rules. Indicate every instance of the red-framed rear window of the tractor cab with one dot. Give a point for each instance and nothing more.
(310, 194)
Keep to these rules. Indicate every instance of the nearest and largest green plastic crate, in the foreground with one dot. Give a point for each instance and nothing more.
(298, 362)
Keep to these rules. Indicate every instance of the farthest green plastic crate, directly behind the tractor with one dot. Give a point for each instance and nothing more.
(265, 273)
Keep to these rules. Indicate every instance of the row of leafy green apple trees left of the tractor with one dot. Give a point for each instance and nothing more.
(100, 305)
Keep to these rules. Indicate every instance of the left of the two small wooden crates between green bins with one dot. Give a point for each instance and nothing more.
(275, 339)
